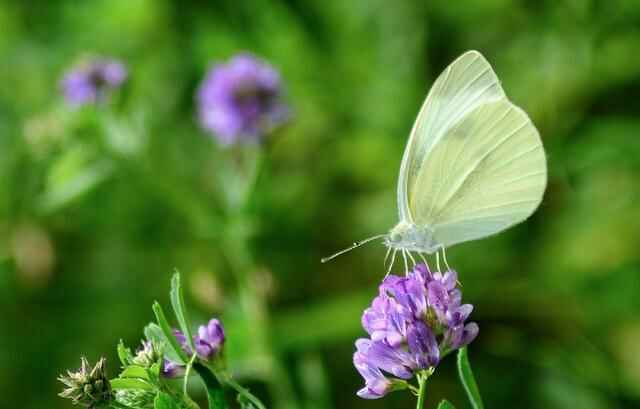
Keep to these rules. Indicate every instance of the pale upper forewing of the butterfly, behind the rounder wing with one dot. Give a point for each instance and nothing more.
(464, 85)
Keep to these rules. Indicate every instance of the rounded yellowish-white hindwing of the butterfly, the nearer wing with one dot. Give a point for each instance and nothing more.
(486, 174)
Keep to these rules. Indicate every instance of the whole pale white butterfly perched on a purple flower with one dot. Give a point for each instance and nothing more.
(474, 164)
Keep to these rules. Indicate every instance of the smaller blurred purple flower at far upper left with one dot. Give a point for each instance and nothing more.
(90, 82)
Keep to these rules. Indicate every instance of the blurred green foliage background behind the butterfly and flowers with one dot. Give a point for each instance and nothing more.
(99, 204)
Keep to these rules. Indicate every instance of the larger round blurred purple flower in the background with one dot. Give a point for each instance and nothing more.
(241, 100)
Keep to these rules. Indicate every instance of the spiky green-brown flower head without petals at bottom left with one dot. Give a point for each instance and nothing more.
(88, 386)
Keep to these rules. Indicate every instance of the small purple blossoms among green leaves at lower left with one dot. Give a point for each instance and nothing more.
(208, 342)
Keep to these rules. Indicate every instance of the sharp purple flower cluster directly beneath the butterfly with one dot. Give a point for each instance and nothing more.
(412, 323)
